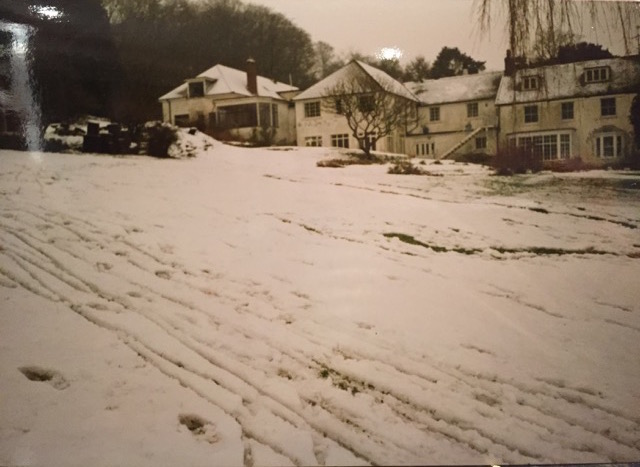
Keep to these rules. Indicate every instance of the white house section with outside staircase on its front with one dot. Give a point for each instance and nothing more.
(457, 116)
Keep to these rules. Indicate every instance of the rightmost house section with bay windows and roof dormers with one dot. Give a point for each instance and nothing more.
(570, 110)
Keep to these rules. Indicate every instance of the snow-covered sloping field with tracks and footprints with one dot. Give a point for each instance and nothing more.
(248, 308)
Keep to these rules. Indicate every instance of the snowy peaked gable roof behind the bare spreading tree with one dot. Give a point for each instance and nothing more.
(353, 69)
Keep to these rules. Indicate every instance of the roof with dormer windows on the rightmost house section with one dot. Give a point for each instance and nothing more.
(567, 81)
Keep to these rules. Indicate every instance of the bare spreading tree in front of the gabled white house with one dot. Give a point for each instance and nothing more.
(373, 108)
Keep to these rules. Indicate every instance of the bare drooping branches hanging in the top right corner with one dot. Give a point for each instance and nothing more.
(546, 25)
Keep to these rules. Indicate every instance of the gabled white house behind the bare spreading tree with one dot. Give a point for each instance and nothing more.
(319, 124)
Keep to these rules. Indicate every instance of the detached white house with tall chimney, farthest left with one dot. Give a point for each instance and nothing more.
(234, 105)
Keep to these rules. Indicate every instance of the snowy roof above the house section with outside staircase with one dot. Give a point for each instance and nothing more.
(457, 88)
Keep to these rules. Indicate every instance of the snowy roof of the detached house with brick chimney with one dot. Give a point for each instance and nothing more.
(222, 79)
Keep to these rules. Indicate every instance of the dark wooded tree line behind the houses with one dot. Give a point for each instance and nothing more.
(114, 58)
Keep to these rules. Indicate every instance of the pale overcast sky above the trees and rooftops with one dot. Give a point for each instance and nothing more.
(416, 27)
